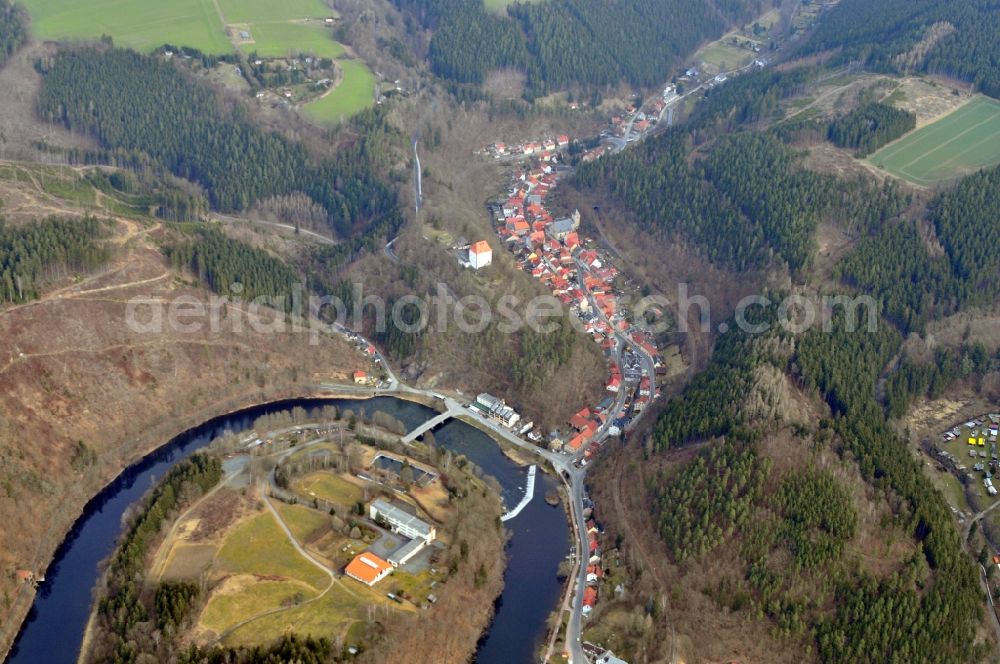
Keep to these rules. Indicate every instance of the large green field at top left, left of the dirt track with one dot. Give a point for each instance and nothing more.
(140, 24)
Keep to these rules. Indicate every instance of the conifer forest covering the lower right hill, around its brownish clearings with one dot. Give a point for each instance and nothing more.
(718, 497)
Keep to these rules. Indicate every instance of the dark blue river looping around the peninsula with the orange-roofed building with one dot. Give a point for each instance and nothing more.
(54, 628)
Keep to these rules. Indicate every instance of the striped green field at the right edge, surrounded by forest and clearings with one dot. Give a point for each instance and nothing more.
(963, 141)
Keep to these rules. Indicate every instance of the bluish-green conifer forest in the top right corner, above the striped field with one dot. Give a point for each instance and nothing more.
(936, 36)
